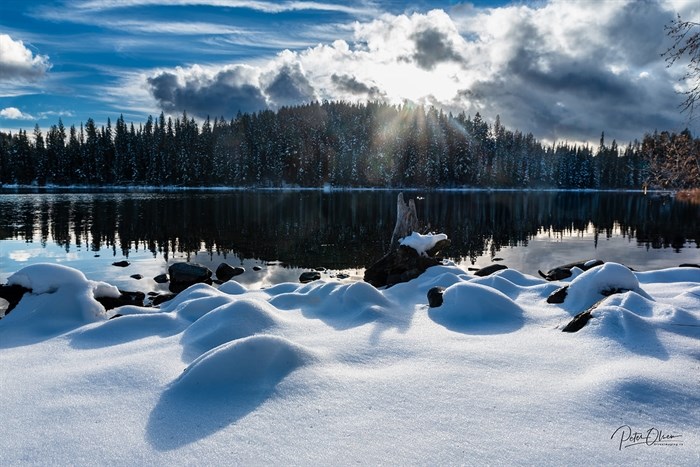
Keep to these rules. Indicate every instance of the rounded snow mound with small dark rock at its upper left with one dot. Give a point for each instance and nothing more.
(477, 309)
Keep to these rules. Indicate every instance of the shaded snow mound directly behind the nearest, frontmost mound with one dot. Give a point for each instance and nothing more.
(235, 320)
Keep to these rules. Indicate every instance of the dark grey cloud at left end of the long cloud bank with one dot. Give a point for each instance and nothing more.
(226, 93)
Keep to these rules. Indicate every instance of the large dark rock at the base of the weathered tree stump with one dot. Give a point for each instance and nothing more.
(401, 265)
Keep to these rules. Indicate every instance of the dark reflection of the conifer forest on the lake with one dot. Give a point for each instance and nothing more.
(337, 230)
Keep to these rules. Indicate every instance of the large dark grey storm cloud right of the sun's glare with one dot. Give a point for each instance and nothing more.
(620, 87)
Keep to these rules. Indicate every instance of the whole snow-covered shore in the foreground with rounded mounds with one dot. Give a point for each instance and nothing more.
(332, 373)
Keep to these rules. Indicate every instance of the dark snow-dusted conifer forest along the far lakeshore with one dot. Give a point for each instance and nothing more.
(339, 144)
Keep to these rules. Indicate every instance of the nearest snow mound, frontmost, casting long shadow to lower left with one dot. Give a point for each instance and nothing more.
(246, 364)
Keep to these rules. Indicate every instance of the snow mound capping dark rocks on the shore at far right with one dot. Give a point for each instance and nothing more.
(592, 285)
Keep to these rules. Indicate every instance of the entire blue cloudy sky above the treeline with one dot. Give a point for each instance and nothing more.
(562, 70)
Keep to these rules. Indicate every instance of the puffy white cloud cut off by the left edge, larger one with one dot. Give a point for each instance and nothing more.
(17, 62)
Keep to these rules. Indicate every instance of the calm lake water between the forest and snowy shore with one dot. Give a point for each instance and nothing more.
(285, 232)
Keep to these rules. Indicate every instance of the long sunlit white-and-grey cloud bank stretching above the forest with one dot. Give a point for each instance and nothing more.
(558, 69)
